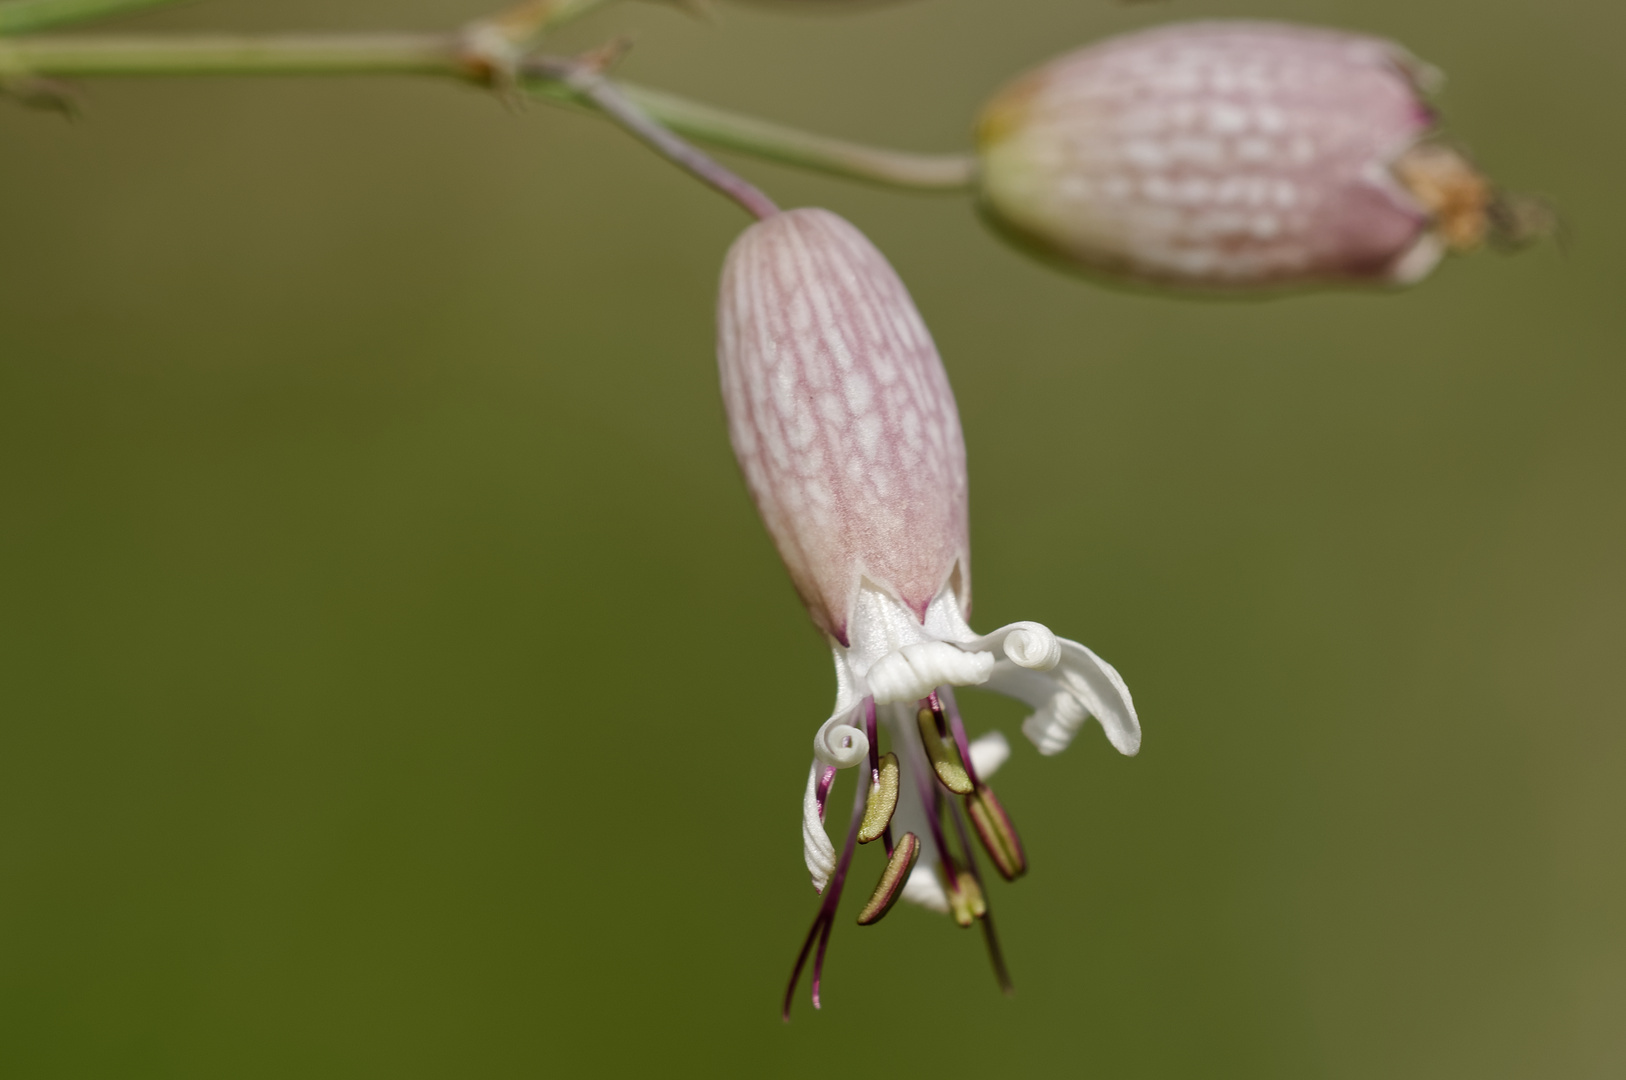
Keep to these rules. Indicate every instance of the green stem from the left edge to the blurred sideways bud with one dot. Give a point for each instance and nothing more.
(450, 56)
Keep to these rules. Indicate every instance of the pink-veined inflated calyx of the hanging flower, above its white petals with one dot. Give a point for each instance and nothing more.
(841, 417)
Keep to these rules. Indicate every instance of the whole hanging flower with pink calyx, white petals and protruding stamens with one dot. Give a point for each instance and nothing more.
(846, 429)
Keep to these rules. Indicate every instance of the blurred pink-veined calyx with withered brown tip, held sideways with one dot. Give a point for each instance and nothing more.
(1233, 157)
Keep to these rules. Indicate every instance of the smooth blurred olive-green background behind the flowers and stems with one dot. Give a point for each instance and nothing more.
(396, 681)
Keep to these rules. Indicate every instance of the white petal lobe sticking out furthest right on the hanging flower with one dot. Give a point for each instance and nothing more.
(1080, 687)
